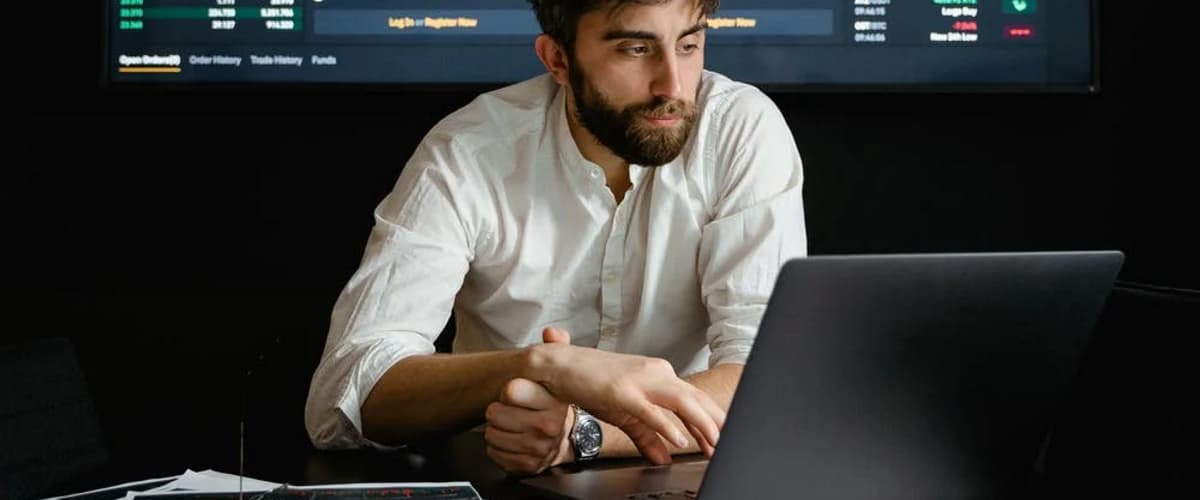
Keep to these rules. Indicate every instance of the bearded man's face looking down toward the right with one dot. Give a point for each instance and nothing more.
(634, 74)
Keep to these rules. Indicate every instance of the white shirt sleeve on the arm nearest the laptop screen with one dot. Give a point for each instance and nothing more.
(757, 227)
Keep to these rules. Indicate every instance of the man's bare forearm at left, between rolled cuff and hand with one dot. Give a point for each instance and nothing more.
(421, 396)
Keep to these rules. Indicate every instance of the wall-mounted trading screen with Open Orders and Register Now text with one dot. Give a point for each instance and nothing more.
(896, 44)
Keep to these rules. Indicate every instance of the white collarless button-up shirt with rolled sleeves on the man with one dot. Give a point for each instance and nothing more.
(499, 218)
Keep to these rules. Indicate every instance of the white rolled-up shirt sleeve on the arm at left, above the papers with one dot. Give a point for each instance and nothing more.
(397, 303)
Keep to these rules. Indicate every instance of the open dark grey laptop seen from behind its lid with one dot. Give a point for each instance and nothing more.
(892, 377)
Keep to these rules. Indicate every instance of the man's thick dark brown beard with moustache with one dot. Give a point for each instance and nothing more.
(626, 131)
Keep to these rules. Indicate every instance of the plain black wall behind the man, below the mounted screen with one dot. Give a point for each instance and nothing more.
(183, 239)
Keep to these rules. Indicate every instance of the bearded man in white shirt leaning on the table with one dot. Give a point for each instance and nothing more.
(608, 237)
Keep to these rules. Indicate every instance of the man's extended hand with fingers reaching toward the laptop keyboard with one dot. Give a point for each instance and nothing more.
(633, 393)
